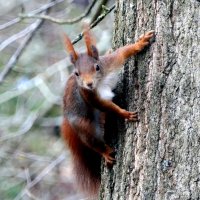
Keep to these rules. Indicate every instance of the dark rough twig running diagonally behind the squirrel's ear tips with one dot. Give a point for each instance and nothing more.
(97, 21)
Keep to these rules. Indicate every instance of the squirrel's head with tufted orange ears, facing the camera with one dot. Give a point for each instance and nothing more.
(87, 66)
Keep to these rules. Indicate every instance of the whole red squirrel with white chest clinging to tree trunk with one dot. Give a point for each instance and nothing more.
(87, 97)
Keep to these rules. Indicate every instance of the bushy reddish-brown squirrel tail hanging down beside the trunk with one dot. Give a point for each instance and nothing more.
(87, 163)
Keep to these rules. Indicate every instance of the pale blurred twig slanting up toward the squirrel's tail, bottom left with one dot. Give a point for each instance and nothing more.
(44, 172)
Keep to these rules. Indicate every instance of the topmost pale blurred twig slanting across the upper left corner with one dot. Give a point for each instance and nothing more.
(39, 10)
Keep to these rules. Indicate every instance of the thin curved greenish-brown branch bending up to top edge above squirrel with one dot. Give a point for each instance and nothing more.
(60, 21)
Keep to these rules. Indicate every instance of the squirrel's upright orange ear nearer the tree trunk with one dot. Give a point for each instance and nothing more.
(90, 44)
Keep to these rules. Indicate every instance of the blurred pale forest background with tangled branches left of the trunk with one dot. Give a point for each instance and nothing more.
(34, 163)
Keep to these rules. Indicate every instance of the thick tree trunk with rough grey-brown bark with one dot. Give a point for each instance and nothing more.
(158, 157)
